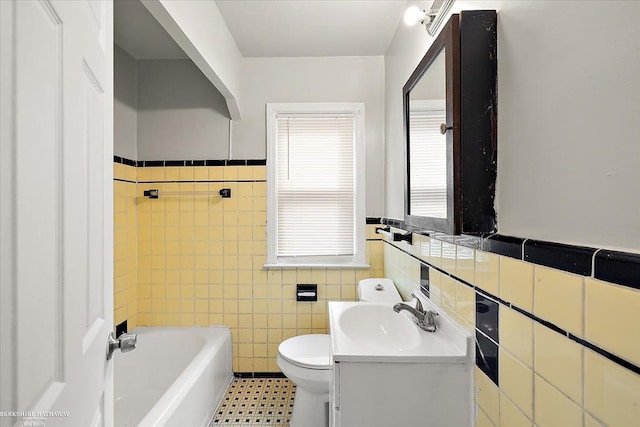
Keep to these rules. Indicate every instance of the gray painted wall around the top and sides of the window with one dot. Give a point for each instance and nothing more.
(322, 79)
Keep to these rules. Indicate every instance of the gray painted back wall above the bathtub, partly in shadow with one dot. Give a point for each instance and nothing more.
(181, 116)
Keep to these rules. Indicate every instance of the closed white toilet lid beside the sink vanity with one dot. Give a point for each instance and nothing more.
(309, 351)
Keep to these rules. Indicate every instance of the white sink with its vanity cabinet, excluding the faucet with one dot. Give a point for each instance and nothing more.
(387, 371)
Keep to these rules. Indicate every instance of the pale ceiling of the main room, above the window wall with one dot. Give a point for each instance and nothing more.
(312, 27)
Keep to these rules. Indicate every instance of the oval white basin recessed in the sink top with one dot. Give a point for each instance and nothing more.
(379, 327)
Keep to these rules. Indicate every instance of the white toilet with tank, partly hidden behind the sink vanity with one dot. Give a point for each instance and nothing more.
(306, 361)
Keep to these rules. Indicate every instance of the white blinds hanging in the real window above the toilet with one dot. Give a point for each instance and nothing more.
(315, 185)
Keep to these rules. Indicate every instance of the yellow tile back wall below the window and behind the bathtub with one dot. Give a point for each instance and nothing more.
(200, 263)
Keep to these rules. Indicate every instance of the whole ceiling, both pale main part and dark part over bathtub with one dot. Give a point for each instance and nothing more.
(273, 28)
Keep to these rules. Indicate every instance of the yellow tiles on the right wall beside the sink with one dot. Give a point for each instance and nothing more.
(545, 378)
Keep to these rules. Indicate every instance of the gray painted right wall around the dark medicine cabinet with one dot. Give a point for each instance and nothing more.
(568, 119)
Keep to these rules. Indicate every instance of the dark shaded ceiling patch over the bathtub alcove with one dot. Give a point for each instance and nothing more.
(140, 35)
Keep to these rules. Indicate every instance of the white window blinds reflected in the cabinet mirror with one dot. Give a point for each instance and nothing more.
(428, 173)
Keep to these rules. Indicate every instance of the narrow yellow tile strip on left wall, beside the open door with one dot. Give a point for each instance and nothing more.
(125, 274)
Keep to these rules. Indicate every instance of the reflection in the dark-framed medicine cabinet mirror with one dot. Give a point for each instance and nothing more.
(427, 150)
